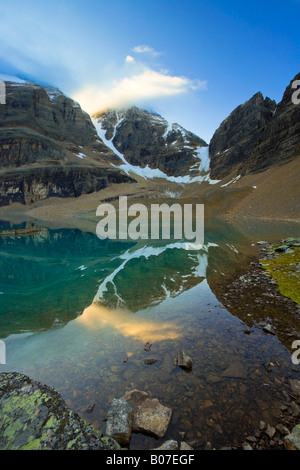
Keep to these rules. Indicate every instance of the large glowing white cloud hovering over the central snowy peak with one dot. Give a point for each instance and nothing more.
(145, 85)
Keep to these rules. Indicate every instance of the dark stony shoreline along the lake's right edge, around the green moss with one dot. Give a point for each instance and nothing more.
(268, 437)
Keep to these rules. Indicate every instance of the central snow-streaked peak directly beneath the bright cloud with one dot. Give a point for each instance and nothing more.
(147, 140)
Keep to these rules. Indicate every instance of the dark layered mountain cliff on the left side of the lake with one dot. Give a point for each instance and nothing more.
(49, 147)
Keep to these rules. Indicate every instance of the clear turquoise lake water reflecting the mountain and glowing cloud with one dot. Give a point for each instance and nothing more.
(75, 313)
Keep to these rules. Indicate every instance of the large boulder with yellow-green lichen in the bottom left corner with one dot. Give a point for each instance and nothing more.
(35, 417)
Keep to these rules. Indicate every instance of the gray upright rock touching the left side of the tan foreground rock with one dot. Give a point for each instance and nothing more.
(119, 421)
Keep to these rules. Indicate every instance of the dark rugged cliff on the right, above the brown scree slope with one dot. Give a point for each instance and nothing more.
(256, 136)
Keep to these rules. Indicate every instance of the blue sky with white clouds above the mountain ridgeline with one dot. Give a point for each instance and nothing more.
(191, 61)
